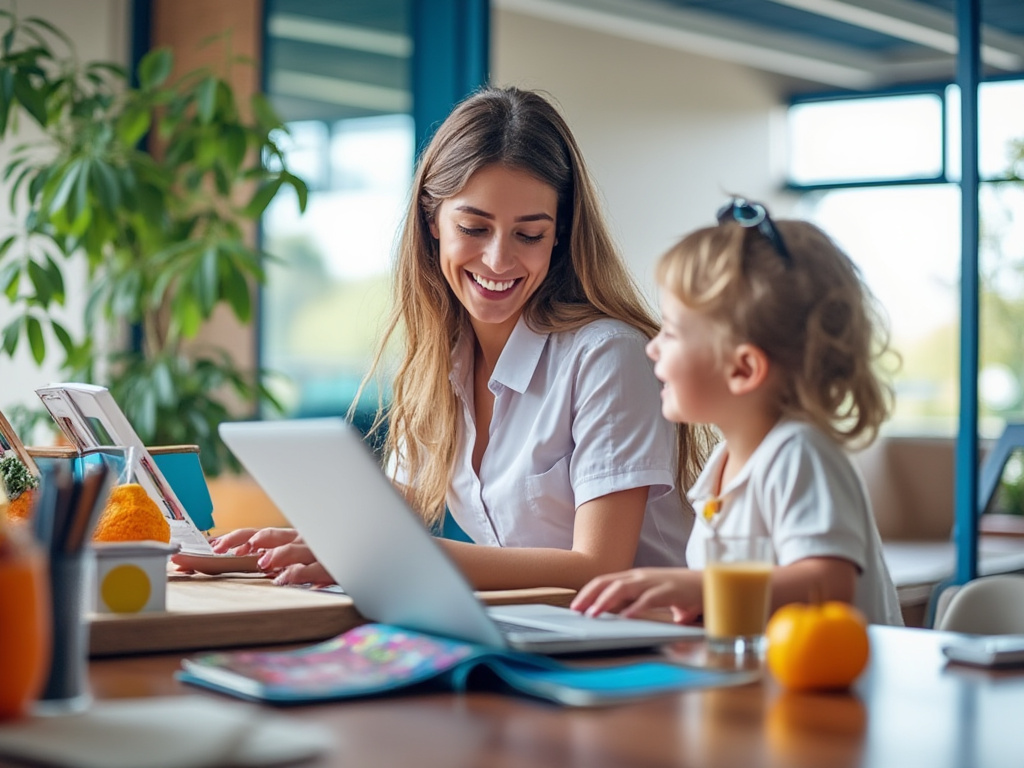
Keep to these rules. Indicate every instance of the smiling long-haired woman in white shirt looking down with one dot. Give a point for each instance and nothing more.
(524, 402)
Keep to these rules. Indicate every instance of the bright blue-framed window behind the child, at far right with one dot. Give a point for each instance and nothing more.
(879, 175)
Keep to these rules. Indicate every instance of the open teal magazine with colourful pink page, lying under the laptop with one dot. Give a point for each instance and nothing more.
(379, 659)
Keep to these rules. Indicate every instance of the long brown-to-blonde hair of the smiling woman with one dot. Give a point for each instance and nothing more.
(587, 280)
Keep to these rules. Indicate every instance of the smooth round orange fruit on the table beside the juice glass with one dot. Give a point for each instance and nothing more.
(818, 648)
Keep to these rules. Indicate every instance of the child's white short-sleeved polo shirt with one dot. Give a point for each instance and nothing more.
(801, 490)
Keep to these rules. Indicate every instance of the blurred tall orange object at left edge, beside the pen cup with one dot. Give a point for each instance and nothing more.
(25, 622)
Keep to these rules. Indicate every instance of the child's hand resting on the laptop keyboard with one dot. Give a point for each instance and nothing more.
(632, 592)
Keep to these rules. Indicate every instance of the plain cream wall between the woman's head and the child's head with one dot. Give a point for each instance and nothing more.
(667, 135)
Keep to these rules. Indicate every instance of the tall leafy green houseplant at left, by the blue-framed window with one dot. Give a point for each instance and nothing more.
(155, 186)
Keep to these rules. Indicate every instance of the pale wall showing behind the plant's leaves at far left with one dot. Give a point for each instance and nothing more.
(99, 29)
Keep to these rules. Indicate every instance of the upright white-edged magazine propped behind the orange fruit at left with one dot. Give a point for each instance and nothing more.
(91, 418)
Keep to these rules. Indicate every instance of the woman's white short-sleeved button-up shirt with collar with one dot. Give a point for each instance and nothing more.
(577, 416)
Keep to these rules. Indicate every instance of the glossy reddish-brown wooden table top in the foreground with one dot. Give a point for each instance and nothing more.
(909, 710)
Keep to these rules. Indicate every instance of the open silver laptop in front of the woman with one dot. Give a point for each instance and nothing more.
(330, 487)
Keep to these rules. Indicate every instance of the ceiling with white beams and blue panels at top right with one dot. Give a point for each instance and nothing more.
(923, 36)
